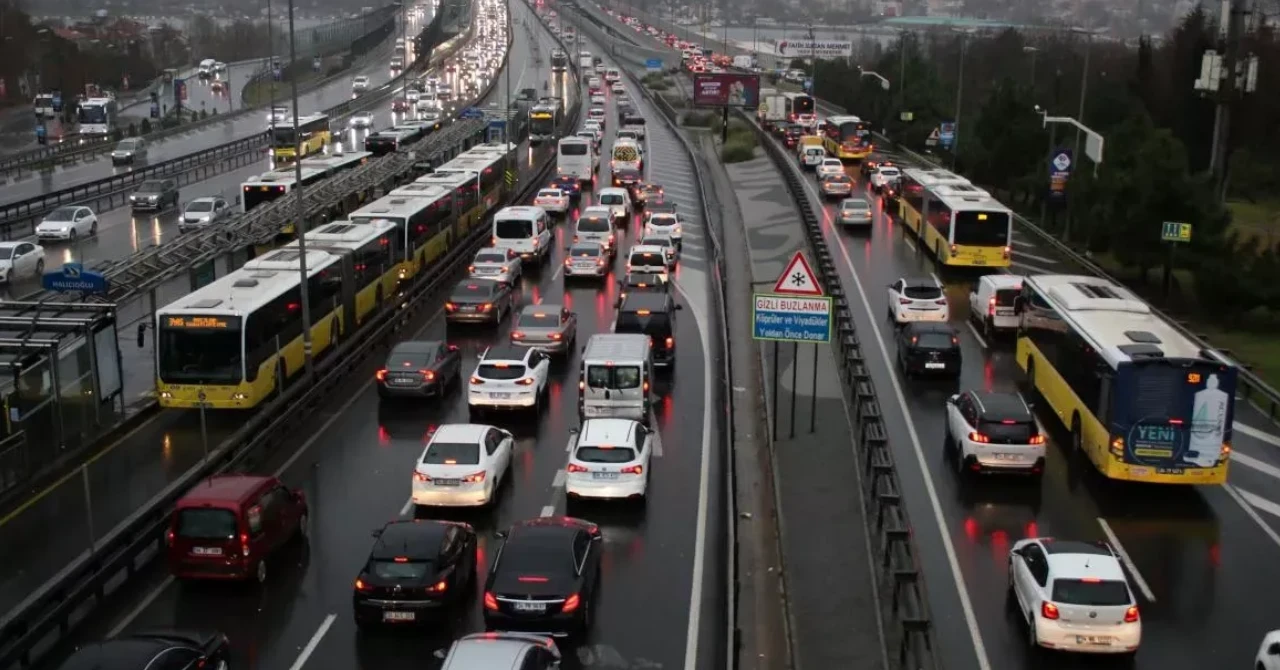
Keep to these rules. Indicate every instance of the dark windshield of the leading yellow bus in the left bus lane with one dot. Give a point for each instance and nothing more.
(202, 355)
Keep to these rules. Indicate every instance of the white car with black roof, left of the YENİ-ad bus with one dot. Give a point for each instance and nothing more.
(994, 432)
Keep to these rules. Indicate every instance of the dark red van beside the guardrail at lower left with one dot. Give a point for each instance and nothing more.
(228, 526)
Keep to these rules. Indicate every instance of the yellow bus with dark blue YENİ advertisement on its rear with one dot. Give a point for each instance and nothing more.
(1142, 402)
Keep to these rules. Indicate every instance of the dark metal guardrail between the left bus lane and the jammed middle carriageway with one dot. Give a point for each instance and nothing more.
(33, 630)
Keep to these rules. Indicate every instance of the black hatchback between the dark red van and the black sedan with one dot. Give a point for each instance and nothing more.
(417, 572)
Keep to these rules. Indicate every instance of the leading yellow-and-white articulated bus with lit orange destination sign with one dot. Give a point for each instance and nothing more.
(239, 340)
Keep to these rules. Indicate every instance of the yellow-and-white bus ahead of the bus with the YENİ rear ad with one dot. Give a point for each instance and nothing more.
(961, 224)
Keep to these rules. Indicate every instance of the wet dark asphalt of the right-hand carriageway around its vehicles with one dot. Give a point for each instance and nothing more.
(1174, 536)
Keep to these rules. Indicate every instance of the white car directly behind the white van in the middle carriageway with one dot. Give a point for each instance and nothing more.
(610, 461)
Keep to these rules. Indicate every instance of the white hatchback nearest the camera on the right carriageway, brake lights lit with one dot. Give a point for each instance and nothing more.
(1075, 596)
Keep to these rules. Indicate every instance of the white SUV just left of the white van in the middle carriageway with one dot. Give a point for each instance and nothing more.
(510, 377)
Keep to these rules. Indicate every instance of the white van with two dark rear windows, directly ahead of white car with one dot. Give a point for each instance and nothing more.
(616, 379)
